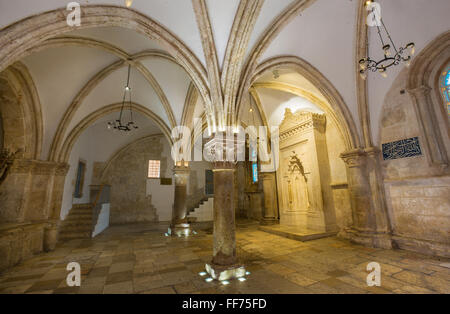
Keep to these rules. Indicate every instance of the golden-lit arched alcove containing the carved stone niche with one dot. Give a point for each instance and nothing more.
(308, 188)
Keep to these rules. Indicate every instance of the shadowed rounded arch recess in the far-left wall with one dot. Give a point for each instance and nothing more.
(21, 113)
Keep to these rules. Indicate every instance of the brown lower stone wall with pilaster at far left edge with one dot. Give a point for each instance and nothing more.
(30, 201)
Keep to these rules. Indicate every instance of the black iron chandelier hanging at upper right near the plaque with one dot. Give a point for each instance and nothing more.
(392, 55)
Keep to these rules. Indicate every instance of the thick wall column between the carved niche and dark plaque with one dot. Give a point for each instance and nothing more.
(369, 217)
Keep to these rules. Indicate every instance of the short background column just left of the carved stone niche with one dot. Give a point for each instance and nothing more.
(270, 198)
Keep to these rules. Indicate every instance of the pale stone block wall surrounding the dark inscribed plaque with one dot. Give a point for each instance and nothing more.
(417, 192)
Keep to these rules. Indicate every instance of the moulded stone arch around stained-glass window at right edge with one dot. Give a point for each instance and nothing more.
(423, 77)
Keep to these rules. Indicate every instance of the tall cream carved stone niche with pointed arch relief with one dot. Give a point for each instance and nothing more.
(303, 155)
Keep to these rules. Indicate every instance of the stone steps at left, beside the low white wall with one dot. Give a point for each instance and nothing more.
(78, 224)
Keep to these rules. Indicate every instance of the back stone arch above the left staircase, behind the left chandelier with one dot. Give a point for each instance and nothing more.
(63, 153)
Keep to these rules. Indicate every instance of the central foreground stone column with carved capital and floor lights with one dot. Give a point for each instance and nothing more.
(224, 262)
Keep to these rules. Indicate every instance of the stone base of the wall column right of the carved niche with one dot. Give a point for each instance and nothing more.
(368, 238)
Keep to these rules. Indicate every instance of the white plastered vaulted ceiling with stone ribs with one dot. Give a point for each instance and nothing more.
(86, 68)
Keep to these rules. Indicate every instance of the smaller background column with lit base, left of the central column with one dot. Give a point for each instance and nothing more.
(180, 225)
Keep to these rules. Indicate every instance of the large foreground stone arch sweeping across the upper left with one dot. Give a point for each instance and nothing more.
(18, 38)
